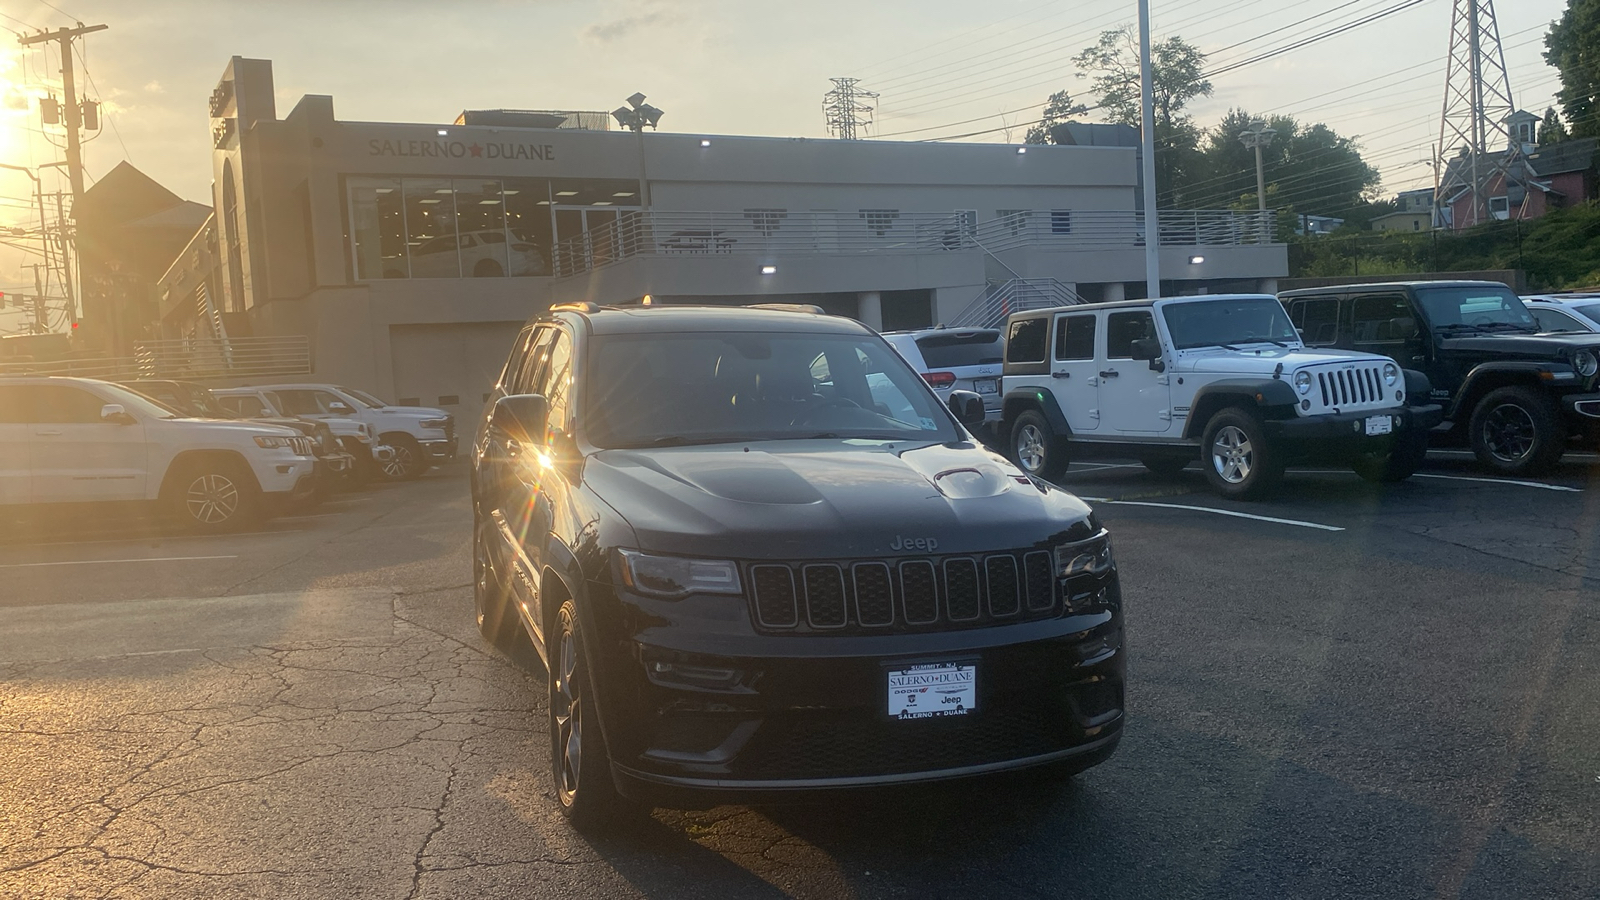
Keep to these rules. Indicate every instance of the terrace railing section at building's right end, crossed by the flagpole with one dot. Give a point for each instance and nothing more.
(1092, 230)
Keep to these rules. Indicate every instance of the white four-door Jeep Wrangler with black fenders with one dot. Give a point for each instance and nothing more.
(1220, 379)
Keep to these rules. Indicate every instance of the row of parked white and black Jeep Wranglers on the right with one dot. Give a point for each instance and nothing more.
(1359, 376)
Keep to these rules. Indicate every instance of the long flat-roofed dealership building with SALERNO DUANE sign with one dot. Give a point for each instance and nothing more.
(410, 254)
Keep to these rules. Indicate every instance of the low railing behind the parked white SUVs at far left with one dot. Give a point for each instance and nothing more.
(193, 360)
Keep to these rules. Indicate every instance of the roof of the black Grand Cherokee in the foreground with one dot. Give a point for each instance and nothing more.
(689, 319)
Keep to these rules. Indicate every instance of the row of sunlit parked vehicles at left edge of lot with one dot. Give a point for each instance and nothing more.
(207, 459)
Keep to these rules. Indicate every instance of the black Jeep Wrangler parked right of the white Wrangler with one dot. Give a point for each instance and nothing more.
(1518, 398)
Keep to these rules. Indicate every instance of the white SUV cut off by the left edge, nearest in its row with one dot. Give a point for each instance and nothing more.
(81, 441)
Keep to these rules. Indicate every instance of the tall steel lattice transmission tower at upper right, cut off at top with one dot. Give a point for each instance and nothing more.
(1478, 105)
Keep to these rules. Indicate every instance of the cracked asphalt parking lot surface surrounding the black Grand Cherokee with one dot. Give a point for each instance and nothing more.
(1343, 693)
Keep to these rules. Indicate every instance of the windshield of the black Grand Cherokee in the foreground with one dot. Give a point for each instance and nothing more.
(657, 390)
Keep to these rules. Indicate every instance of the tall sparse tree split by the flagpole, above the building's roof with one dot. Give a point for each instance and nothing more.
(1175, 79)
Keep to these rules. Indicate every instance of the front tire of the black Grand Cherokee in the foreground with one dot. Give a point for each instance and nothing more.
(580, 765)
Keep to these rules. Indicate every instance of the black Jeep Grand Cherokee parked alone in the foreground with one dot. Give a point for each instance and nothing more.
(759, 556)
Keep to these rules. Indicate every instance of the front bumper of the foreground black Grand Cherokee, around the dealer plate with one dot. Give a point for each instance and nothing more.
(809, 713)
